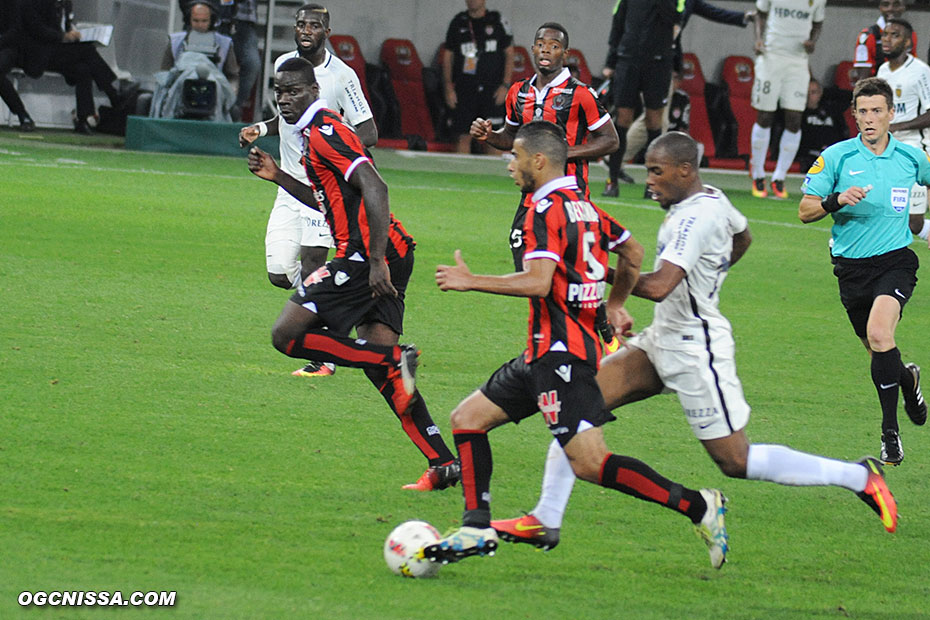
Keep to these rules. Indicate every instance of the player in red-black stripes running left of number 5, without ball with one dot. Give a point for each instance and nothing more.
(363, 285)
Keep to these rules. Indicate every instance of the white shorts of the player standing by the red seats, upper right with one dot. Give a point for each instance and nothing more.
(780, 79)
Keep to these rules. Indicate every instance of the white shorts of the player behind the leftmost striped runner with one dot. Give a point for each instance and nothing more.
(291, 225)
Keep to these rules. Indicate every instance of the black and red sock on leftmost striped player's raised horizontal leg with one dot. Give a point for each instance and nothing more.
(321, 345)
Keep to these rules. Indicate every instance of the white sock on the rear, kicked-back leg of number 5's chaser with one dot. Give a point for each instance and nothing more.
(785, 466)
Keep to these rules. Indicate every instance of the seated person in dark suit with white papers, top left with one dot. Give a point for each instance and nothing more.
(51, 43)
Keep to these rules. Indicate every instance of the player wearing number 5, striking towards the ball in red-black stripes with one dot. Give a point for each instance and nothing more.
(568, 240)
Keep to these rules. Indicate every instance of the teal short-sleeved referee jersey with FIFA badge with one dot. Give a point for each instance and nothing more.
(879, 223)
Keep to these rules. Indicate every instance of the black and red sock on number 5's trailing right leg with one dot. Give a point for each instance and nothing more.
(633, 477)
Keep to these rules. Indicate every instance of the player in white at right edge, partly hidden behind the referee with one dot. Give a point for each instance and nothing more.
(909, 78)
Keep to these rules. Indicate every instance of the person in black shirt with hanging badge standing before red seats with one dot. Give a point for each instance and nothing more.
(477, 68)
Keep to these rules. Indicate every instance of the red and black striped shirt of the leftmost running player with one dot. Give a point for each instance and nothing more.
(332, 152)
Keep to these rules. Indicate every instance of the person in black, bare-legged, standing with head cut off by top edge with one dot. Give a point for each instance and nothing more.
(639, 59)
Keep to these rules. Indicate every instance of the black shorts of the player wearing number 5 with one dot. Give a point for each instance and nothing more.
(559, 385)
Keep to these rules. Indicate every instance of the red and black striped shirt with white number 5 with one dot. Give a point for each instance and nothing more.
(567, 228)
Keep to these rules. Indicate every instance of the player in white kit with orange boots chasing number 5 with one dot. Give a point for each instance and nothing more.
(689, 349)
